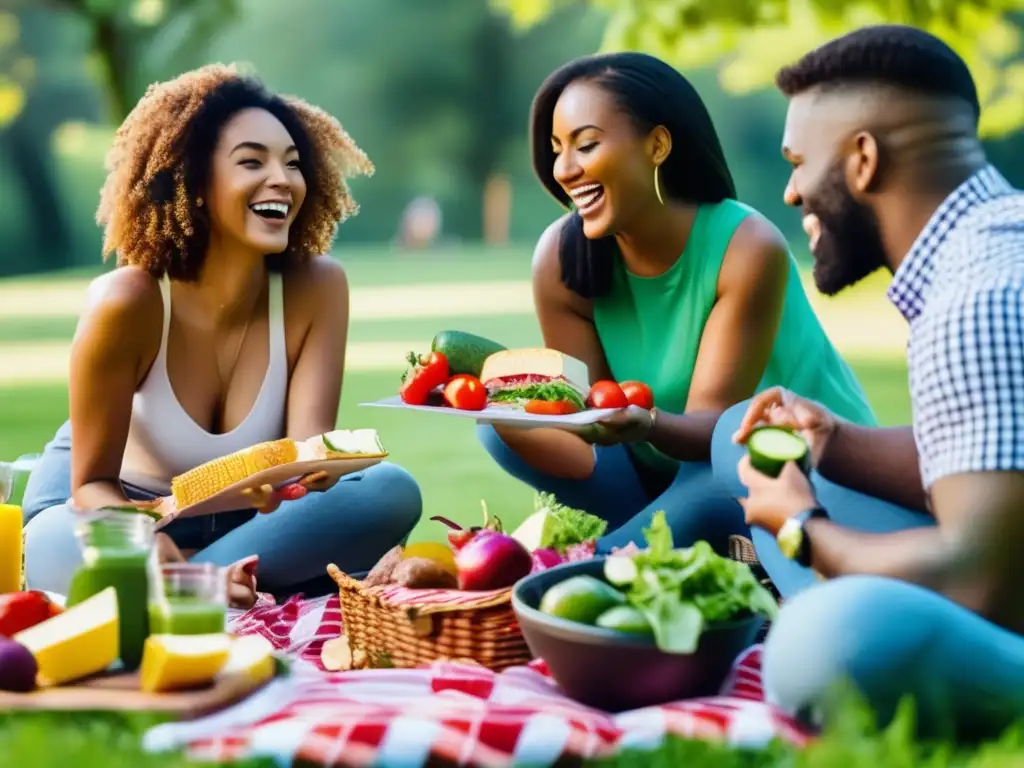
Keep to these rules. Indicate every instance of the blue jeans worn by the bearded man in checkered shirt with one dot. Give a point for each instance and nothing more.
(888, 637)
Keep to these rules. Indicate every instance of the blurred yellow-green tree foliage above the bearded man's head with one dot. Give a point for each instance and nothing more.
(749, 40)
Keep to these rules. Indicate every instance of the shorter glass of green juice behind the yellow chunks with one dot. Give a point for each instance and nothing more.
(189, 600)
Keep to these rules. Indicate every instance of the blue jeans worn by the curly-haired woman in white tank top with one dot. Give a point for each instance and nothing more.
(352, 525)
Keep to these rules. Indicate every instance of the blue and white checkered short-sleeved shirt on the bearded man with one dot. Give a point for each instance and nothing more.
(961, 289)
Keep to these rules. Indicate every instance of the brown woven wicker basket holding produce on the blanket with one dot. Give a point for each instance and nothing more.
(484, 630)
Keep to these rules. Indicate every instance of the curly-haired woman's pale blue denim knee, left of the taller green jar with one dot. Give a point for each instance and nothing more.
(52, 551)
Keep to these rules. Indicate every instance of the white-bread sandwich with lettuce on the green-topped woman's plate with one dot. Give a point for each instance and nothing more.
(536, 379)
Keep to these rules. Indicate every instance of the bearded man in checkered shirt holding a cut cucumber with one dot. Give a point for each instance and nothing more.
(899, 570)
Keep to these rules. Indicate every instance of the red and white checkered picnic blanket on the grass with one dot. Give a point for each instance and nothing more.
(447, 713)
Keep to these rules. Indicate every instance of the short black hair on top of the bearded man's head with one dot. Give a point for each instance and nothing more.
(886, 55)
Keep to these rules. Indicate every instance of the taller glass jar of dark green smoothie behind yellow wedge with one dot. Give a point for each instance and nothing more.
(117, 550)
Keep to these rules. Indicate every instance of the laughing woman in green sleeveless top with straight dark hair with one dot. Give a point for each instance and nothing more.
(661, 276)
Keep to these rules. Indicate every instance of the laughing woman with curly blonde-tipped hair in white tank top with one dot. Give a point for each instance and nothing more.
(223, 326)
